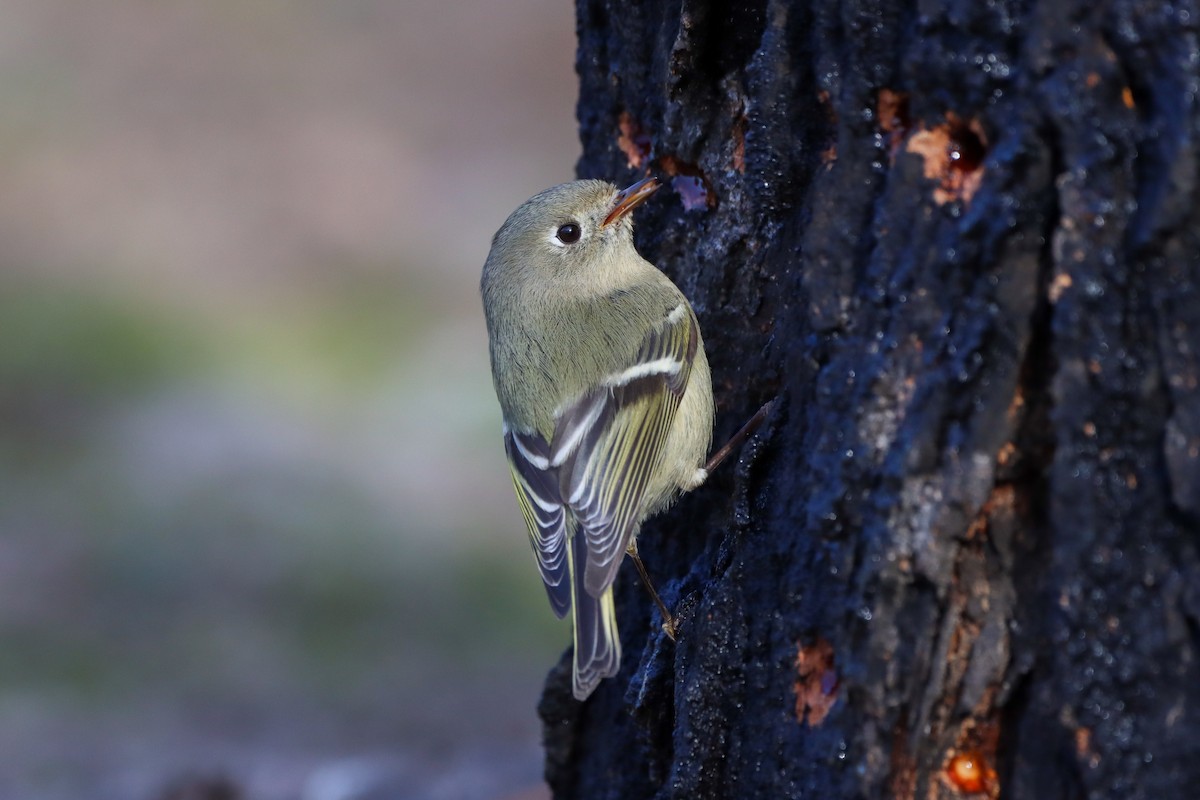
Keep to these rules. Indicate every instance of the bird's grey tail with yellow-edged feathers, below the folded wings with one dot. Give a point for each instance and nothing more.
(597, 642)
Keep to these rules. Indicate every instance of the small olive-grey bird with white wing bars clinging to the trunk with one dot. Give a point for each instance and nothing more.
(605, 393)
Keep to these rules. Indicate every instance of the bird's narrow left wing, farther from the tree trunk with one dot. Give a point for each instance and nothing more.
(537, 485)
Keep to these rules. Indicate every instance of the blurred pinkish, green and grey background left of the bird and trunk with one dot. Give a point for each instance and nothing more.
(257, 539)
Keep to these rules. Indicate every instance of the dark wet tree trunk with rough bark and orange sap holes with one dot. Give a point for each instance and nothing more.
(961, 242)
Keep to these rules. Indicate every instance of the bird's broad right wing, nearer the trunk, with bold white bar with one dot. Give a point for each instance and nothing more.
(608, 443)
